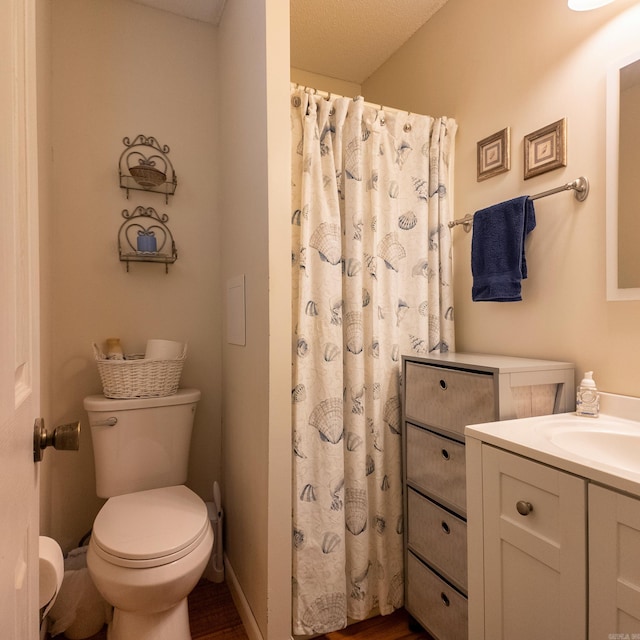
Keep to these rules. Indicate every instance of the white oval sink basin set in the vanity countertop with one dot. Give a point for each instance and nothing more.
(612, 442)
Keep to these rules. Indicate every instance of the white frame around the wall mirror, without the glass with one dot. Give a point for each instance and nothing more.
(614, 292)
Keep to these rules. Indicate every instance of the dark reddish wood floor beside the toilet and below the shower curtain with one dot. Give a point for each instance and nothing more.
(213, 616)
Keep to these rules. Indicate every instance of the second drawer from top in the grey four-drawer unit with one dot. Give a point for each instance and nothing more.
(436, 466)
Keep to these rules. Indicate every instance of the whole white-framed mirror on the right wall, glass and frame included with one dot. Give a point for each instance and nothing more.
(623, 167)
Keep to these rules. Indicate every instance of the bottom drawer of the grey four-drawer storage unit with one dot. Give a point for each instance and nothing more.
(435, 604)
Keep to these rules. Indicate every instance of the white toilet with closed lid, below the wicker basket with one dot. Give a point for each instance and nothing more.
(151, 541)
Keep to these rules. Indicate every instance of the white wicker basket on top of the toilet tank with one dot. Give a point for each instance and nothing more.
(136, 377)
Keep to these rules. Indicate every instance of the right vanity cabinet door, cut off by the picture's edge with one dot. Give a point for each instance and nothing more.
(614, 564)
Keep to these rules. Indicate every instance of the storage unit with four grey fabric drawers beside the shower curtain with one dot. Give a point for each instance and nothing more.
(441, 395)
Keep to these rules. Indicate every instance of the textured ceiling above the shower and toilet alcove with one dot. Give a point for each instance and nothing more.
(344, 39)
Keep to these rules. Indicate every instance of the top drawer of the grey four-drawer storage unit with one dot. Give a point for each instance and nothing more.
(448, 399)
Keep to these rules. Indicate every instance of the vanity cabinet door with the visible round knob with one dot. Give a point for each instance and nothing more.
(535, 550)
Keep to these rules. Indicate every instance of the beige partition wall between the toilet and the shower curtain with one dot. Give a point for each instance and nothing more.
(255, 179)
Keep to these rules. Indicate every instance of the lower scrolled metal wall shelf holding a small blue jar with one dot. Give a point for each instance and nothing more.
(145, 237)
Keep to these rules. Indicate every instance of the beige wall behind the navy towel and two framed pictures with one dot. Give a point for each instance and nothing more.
(497, 63)
